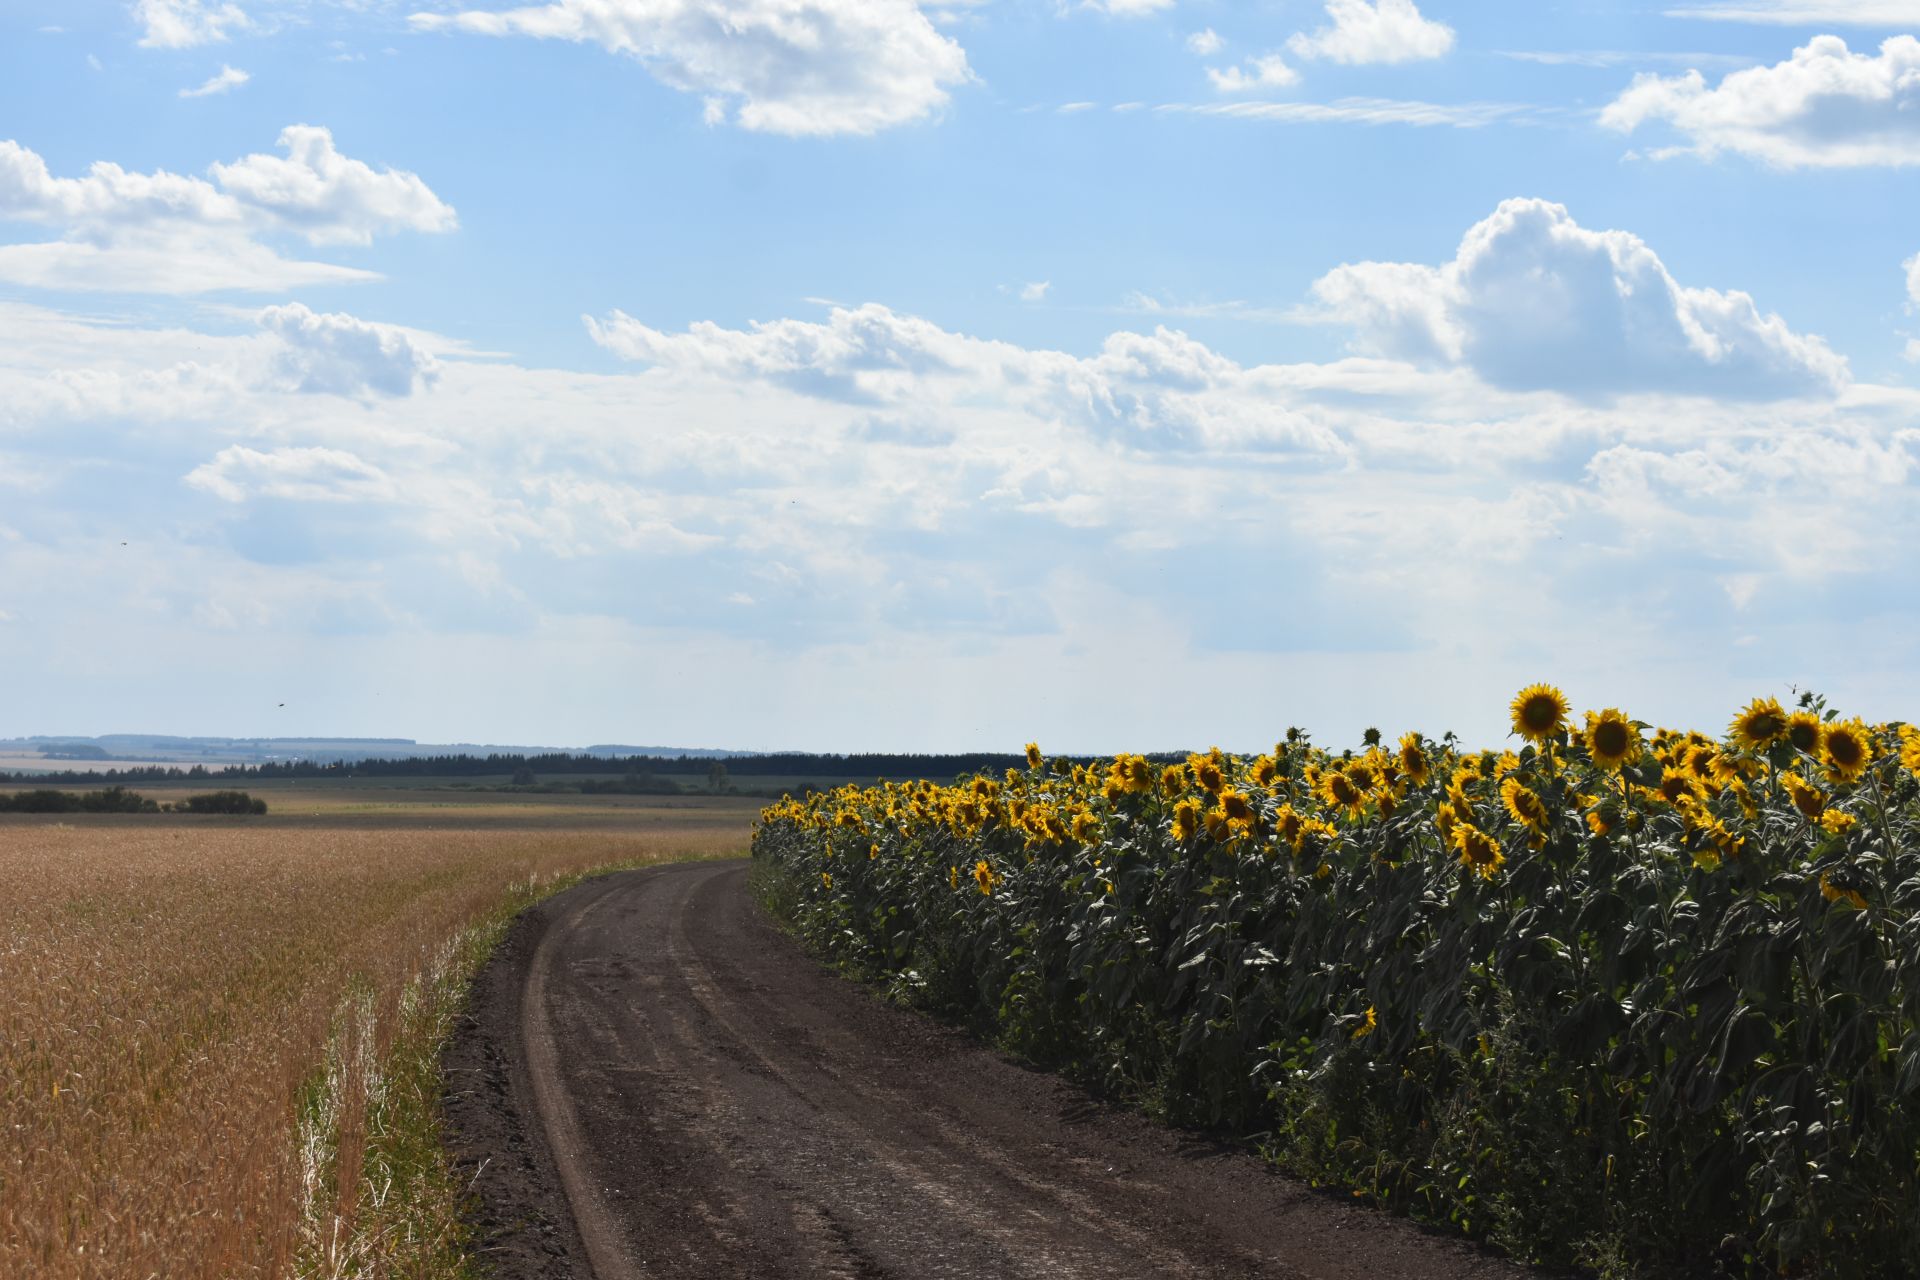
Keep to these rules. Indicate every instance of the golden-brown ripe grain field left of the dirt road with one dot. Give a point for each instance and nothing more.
(180, 993)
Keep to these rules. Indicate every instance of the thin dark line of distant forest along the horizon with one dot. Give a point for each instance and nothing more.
(556, 765)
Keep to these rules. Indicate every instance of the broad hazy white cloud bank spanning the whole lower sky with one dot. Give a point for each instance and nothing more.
(915, 510)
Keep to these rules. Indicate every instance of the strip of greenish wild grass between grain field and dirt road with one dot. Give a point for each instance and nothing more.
(379, 1193)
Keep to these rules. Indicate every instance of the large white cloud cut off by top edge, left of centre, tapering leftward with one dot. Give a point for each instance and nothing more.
(786, 66)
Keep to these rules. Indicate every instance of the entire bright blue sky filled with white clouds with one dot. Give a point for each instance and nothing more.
(867, 375)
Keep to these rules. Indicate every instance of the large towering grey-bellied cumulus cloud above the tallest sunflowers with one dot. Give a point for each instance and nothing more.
(1537, 302)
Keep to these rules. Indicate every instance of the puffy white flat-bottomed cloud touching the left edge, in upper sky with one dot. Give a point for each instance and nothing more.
(168, 233)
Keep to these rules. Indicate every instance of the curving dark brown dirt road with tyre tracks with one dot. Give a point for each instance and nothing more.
(654, 1081)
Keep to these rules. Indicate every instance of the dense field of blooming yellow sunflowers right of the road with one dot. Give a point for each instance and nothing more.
(1621, 999)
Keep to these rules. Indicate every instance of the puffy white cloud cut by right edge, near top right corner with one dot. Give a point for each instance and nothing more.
(1823, 108)
